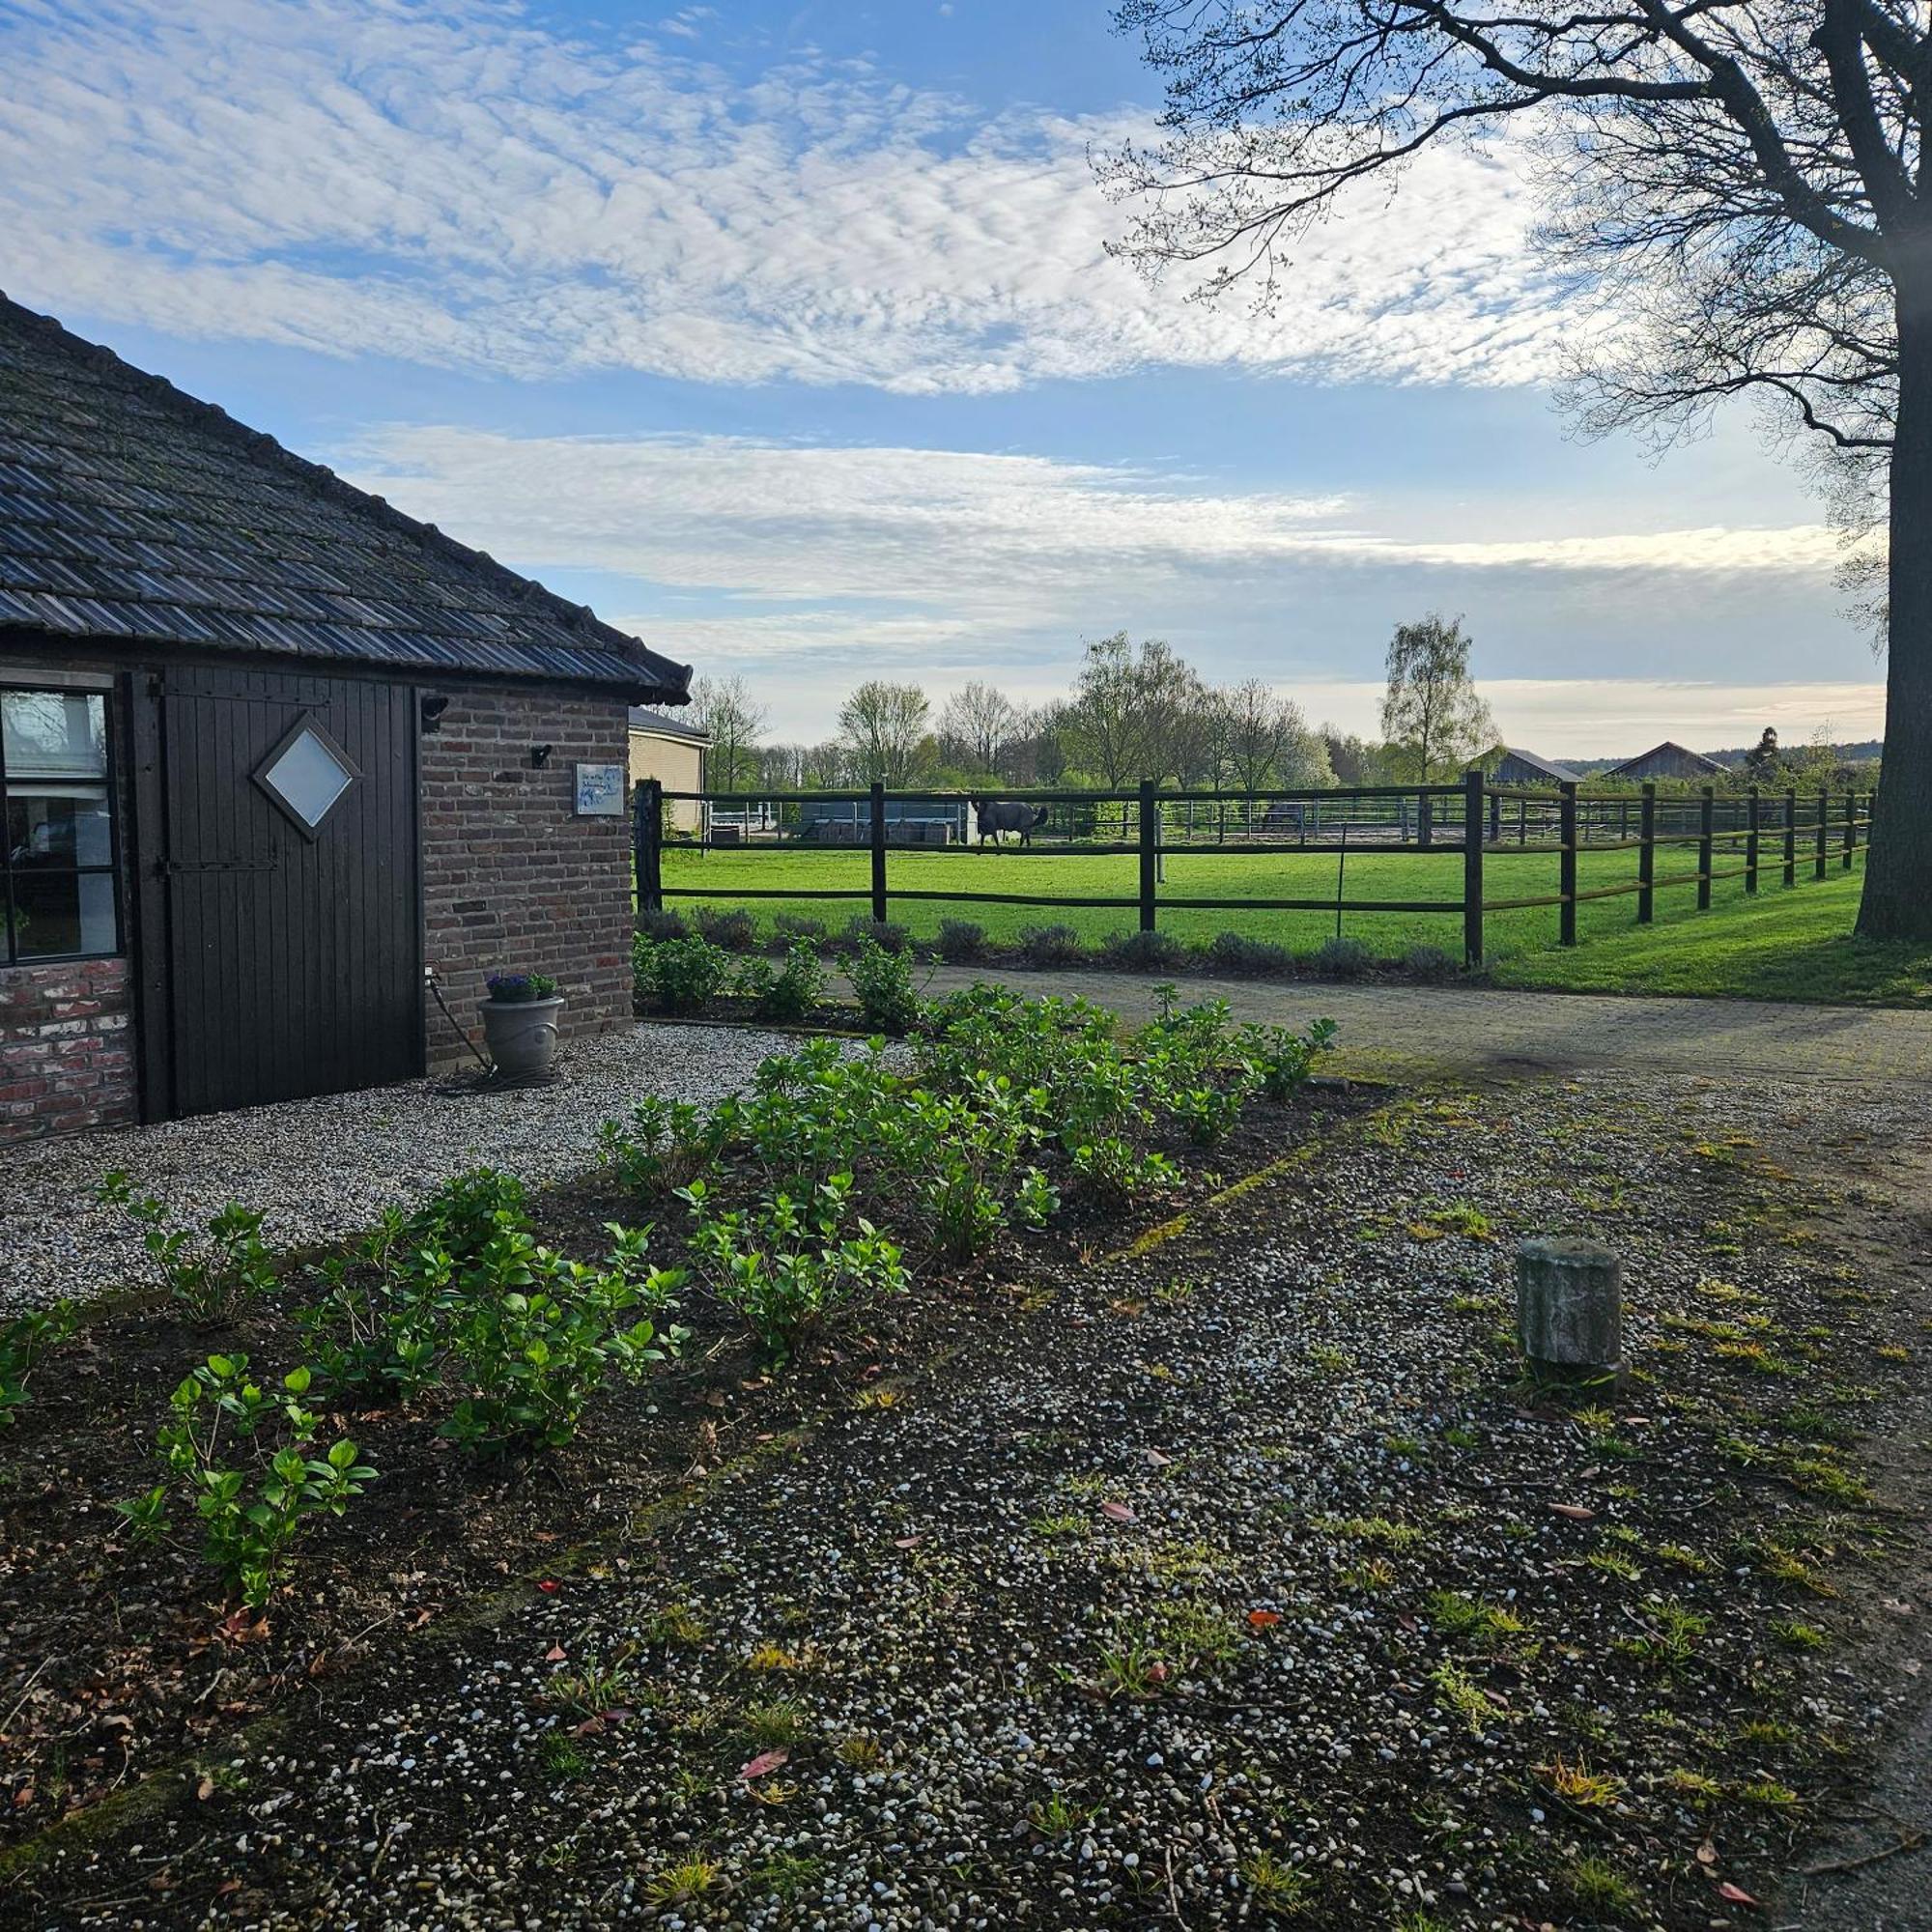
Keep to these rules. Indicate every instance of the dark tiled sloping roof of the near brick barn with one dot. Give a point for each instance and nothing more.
(130, 511)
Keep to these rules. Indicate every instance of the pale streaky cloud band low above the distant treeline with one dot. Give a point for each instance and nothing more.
(810, 569)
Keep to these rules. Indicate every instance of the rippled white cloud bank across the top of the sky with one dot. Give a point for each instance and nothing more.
(451, 185)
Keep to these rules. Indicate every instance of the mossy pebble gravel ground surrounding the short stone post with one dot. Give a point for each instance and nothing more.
(868, 1684)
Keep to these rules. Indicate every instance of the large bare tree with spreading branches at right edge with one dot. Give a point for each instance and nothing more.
(1742, 181)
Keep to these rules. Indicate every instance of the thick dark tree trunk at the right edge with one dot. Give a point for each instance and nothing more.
(1898, 872)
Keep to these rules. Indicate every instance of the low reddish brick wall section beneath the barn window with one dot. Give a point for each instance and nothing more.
(67, 1048)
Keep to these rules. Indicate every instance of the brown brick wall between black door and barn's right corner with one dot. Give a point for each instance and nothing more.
(513, 880)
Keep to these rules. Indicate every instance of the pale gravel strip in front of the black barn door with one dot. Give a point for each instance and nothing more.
(326, 1168)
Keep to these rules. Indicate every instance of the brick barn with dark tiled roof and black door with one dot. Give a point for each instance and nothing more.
(268, 753)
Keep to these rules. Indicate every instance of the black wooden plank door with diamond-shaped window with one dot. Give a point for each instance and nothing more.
(277, 857)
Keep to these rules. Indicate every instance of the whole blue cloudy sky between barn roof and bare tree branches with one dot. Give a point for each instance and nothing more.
(785, 337)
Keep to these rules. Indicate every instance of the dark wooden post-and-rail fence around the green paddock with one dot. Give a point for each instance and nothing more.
(1489, 824)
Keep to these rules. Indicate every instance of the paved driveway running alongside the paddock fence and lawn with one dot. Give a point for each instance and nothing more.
(1469, 1029)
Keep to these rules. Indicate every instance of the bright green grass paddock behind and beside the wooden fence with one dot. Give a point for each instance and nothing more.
(1780, 946)
